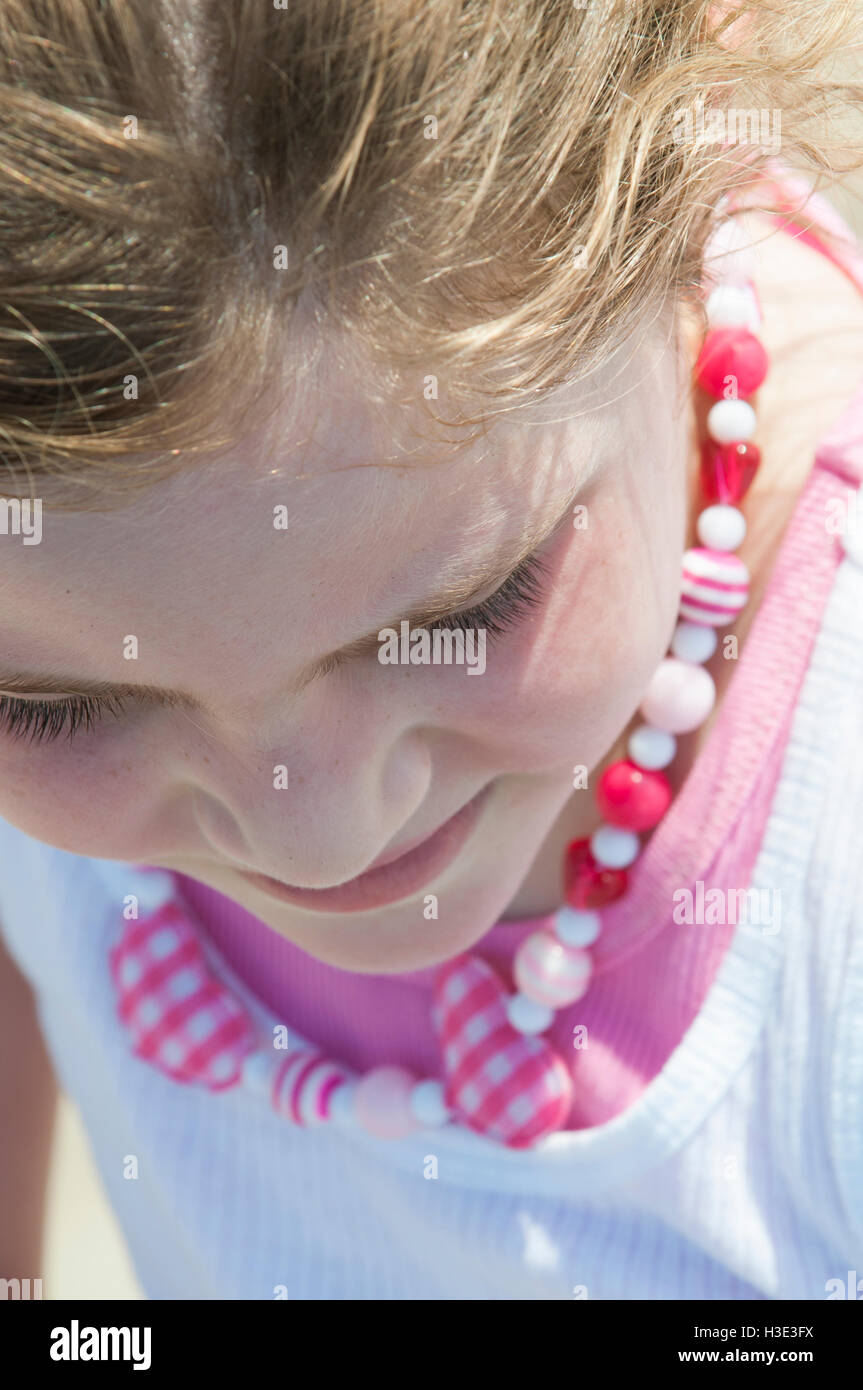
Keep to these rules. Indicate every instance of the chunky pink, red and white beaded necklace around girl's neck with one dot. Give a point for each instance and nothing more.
(502, 1078)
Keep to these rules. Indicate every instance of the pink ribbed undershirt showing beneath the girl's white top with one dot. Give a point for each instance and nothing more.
(651, 974)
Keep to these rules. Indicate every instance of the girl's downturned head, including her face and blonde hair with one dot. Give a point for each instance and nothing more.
(320, 318)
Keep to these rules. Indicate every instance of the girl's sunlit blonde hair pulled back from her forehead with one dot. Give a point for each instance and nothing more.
(484, 190)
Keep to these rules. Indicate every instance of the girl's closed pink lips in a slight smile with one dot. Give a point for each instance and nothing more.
(390, 883)
